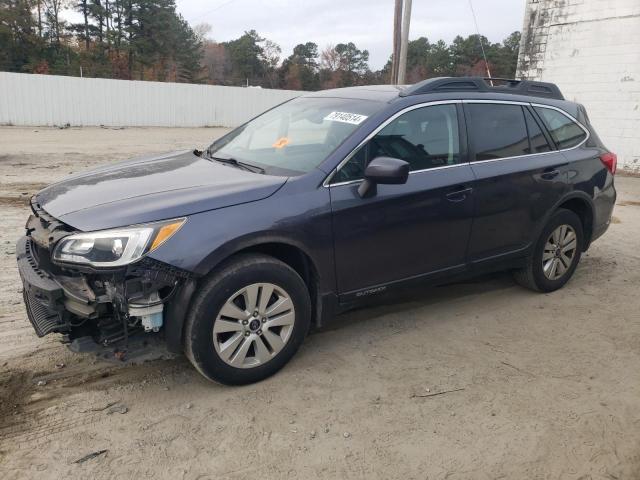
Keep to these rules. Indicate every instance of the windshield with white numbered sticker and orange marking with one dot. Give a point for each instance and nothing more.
(296, 136)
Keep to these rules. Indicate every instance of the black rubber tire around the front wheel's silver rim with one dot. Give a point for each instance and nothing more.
(239, 272)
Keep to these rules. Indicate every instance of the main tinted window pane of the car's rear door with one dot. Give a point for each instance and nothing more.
(497, 130)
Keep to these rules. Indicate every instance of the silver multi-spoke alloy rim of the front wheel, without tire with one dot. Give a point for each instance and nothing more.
(253, 325)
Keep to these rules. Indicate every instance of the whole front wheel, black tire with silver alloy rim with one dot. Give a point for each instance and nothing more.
(247, 320)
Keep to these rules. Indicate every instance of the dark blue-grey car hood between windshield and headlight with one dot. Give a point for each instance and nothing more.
(152, 188)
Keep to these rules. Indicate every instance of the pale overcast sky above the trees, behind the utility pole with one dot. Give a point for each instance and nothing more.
(367, 23)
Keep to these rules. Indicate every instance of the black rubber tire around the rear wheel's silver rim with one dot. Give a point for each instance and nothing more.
(532, 275)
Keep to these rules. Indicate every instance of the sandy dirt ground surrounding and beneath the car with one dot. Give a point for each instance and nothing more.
(530, 386)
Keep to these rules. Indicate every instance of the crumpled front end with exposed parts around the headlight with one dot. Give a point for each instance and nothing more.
(111, 311)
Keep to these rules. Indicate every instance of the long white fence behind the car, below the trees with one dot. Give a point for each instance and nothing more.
(38, 100)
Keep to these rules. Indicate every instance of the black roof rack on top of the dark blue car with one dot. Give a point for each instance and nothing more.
(484, 84)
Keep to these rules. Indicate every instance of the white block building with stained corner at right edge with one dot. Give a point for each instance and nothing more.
(591, 49)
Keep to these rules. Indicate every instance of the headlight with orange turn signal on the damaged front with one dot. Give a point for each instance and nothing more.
(116, 247)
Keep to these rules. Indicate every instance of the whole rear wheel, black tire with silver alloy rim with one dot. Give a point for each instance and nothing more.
(556, 254)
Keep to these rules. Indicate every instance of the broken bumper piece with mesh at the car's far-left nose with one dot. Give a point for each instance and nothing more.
(43, 295)
